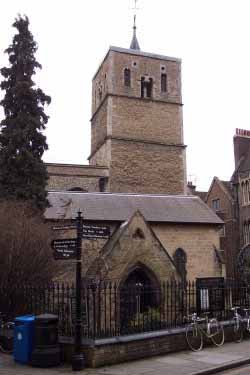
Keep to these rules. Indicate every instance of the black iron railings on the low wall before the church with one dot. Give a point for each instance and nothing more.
(108, 310)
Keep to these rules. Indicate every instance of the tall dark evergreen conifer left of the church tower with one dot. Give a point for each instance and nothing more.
(23, 174)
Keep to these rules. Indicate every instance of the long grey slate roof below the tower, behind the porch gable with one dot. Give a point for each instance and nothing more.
(120, 207)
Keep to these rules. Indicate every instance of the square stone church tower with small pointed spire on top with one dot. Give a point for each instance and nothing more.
(136, 125)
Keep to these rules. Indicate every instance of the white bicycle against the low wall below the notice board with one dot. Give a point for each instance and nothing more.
(195, 331)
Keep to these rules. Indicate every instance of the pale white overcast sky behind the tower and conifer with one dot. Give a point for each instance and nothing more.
(212, 37)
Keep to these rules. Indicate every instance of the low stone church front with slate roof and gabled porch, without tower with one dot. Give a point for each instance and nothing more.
(146, 233)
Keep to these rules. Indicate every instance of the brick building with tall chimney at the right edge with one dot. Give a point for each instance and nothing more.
(231, 201)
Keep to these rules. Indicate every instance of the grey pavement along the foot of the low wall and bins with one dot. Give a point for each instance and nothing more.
(208, 361)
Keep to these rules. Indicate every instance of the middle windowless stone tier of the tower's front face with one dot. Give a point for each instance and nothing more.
(146, 120)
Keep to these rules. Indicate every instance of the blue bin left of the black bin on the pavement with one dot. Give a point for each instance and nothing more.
(23, 338)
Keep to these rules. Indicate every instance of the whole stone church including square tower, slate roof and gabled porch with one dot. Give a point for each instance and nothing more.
(136, 181)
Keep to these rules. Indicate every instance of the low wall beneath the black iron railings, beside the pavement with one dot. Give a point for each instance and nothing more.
(127, 348)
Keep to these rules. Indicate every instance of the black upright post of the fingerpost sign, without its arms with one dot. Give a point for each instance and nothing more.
(78, 360)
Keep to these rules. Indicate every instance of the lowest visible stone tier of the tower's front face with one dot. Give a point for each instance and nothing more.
(146, 168)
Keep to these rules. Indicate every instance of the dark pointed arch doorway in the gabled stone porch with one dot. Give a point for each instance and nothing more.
(139, 294)
